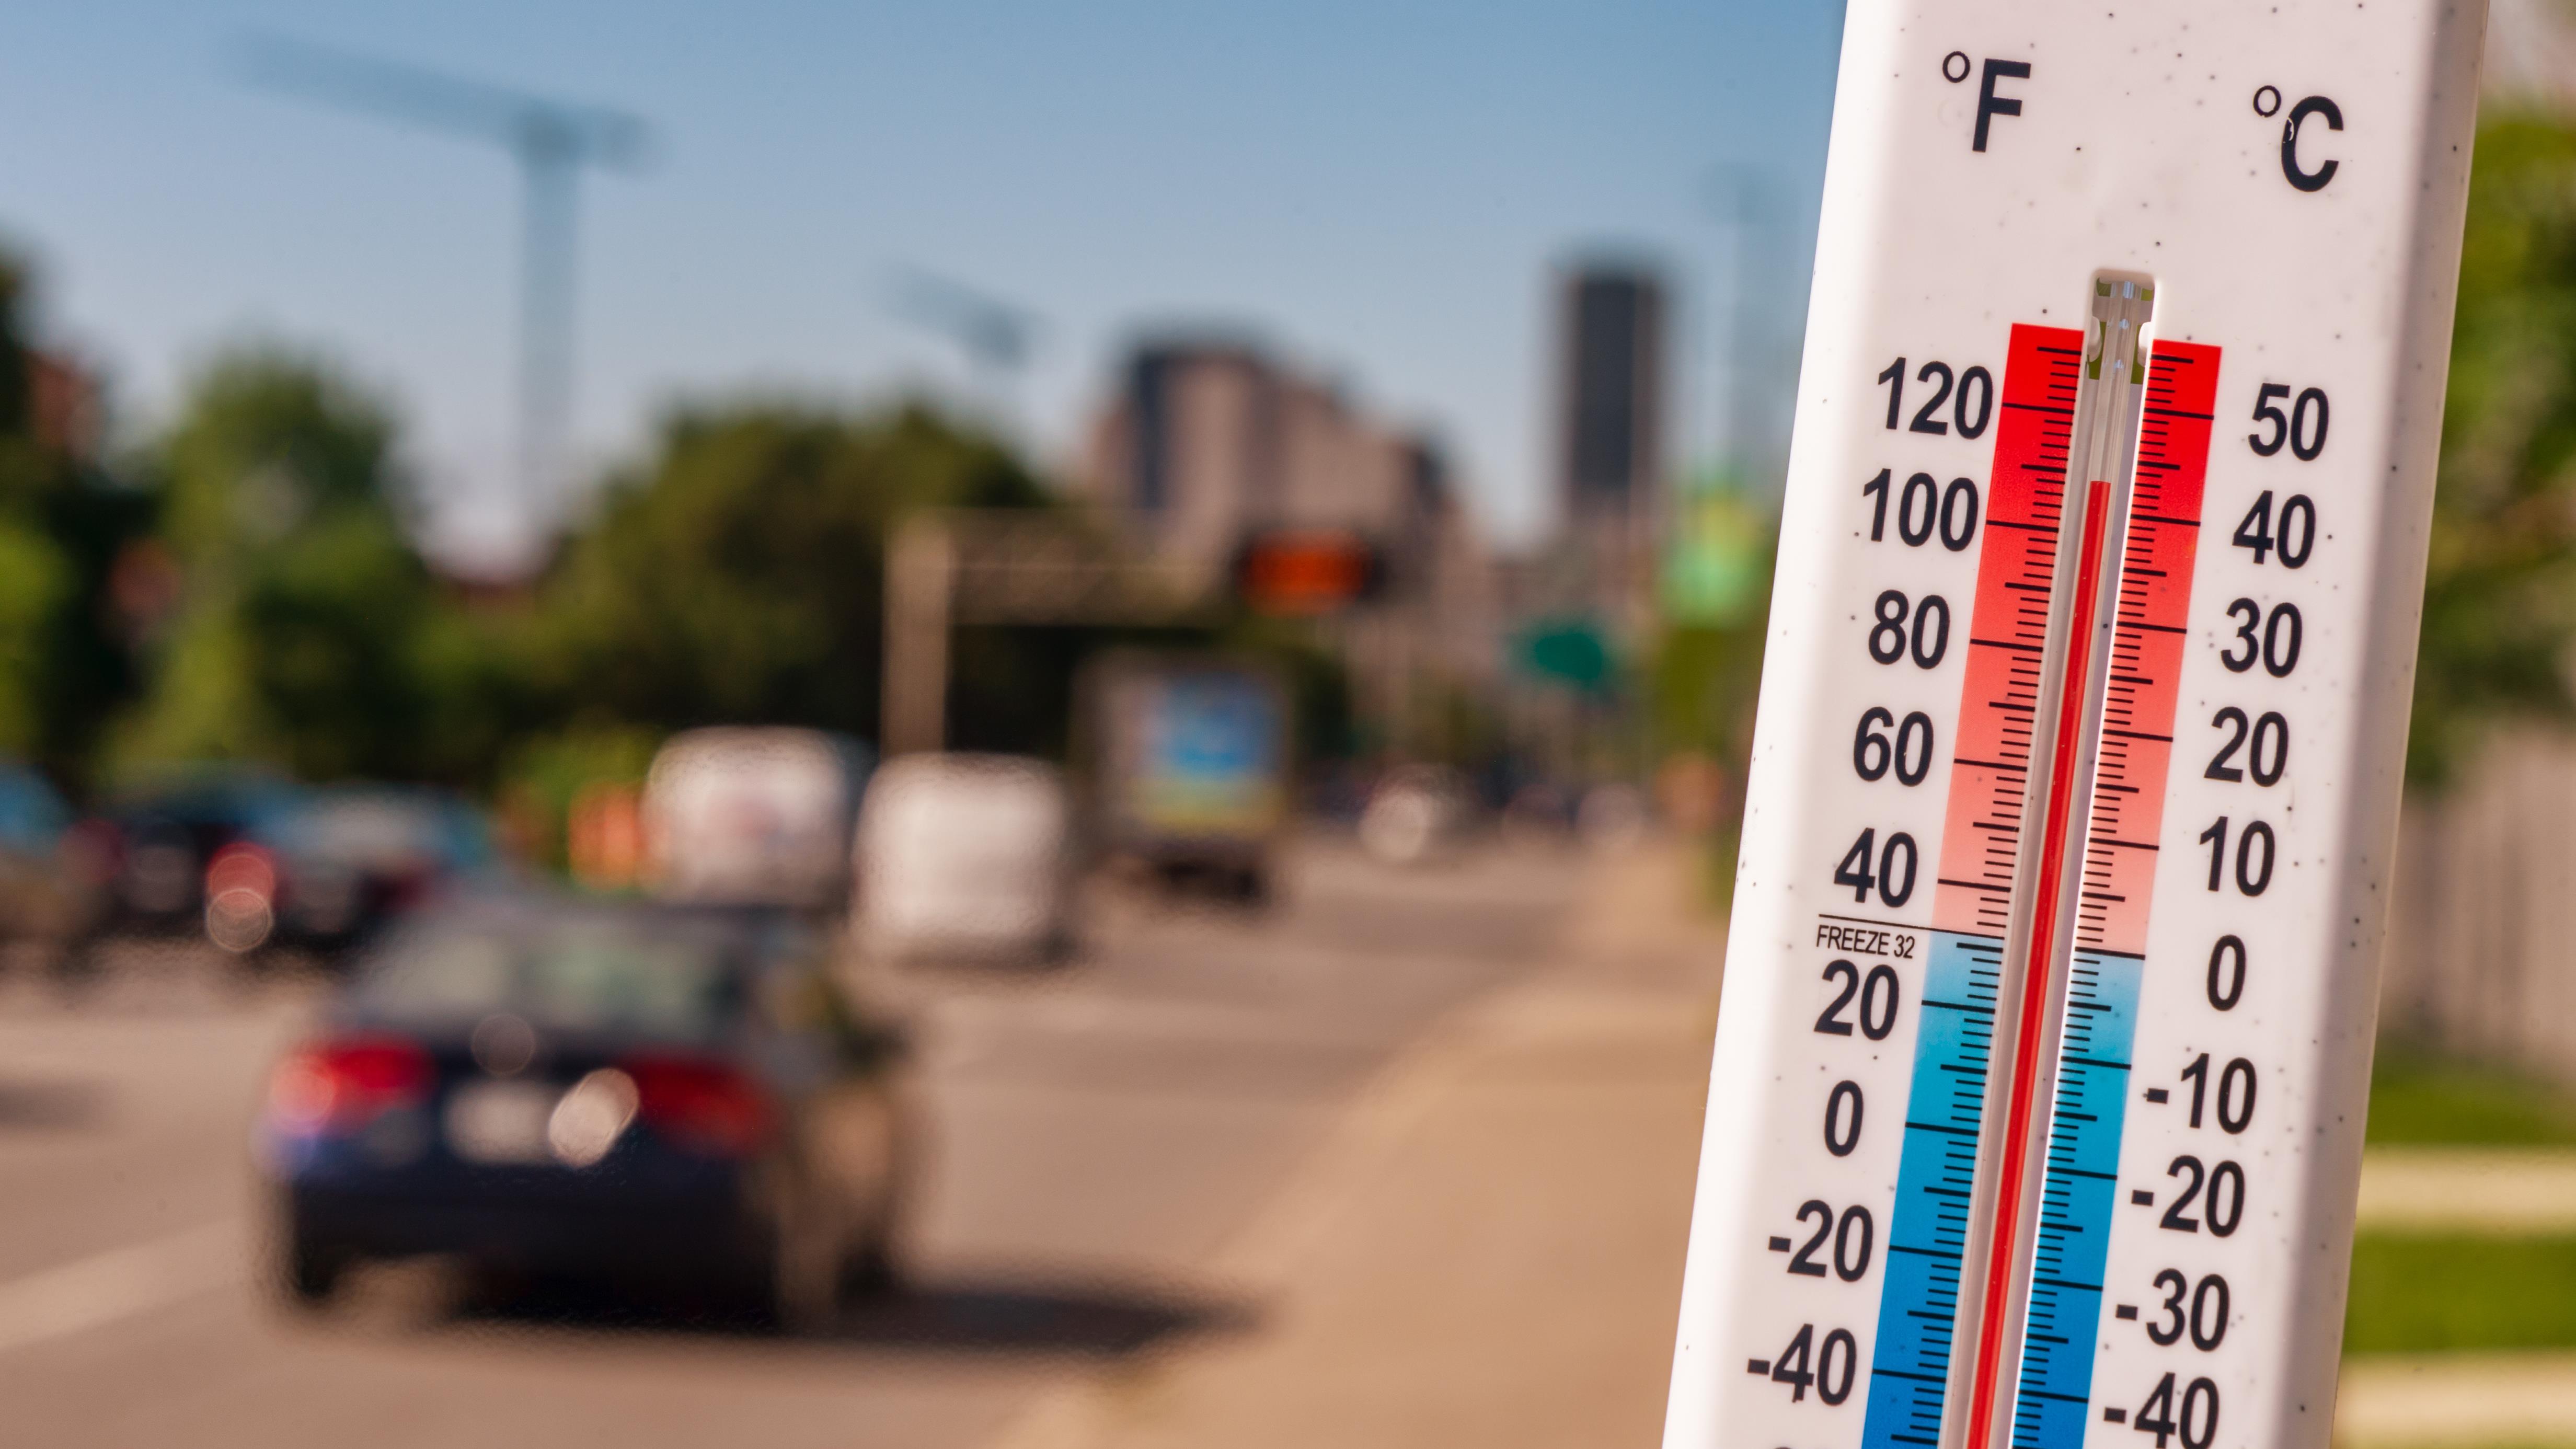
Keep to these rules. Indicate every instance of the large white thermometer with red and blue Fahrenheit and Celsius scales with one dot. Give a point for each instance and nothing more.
(2036, 1113)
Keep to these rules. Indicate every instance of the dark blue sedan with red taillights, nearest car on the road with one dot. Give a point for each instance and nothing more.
(638, 1094)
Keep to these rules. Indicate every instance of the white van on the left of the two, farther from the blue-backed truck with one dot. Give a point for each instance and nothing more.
(753, 816)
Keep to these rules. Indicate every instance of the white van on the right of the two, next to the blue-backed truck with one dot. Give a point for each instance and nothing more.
(967, 857)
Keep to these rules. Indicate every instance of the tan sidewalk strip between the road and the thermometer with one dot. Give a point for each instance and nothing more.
(1490, 1247)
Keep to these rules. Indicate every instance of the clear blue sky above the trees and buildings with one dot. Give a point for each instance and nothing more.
(1374, 187)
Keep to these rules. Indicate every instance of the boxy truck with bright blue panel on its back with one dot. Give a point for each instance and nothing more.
(1189, 767)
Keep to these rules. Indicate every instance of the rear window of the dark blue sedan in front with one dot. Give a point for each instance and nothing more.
(578, 976)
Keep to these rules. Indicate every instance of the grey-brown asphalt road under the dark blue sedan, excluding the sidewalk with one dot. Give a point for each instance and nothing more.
(1099, 1136)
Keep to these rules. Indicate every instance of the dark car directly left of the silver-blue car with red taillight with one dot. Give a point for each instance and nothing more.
(153, 844)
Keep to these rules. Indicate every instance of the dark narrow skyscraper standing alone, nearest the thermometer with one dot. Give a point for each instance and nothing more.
(1611, 391)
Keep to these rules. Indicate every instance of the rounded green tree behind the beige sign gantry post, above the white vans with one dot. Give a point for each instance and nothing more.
(741, 579)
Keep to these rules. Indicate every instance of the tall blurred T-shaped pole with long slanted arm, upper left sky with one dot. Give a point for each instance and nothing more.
(553, 143)
